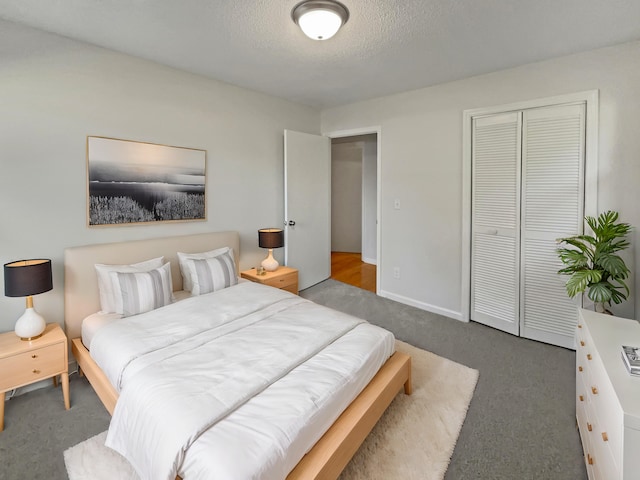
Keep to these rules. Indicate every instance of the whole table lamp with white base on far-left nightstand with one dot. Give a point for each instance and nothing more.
(25, 278)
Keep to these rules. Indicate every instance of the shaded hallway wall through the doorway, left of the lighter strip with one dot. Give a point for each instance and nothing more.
(346, 197)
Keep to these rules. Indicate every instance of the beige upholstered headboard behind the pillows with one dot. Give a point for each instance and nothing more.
(81, 296)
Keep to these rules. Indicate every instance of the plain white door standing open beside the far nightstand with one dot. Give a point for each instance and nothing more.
(307, 206)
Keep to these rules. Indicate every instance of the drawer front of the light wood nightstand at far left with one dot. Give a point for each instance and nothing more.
(28, 367)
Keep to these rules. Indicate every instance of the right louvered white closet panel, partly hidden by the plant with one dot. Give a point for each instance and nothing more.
(552, 207)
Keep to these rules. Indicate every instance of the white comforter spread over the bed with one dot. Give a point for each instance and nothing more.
(209, 361)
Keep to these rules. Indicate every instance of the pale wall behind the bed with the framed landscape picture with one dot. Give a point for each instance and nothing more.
(54, 92)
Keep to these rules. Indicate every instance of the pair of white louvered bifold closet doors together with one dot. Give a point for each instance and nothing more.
(527, 190)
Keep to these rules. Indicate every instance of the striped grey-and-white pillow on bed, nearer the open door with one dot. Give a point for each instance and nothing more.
(212, 274)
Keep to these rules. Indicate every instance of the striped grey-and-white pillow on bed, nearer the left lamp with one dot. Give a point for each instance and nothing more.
(141, 292)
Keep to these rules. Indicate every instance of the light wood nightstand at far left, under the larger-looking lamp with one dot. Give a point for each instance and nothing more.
(25, 362)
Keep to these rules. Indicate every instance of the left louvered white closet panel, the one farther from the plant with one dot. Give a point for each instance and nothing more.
(495, 237)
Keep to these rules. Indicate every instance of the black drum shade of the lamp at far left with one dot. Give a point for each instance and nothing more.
(27, 277)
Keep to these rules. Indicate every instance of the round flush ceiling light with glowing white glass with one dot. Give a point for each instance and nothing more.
(320, 19)
